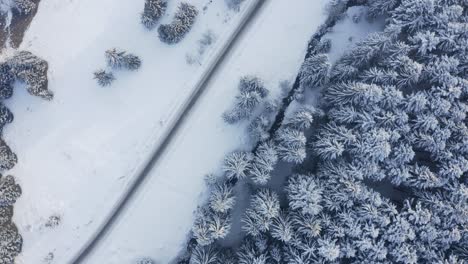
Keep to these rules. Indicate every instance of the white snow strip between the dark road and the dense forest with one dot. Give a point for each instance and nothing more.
(159, 220)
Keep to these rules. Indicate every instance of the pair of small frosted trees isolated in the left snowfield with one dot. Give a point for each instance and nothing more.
(116, 59)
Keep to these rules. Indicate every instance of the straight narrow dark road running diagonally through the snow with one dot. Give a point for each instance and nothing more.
(172, 127)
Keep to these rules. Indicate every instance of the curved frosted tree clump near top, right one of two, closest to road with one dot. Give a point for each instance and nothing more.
(180, 26)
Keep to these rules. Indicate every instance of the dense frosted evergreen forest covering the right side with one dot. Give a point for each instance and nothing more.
(394, 117)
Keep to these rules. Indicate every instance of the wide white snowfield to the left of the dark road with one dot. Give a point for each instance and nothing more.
(78, 152)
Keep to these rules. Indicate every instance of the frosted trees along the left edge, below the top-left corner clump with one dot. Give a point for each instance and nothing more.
(26, 68)
